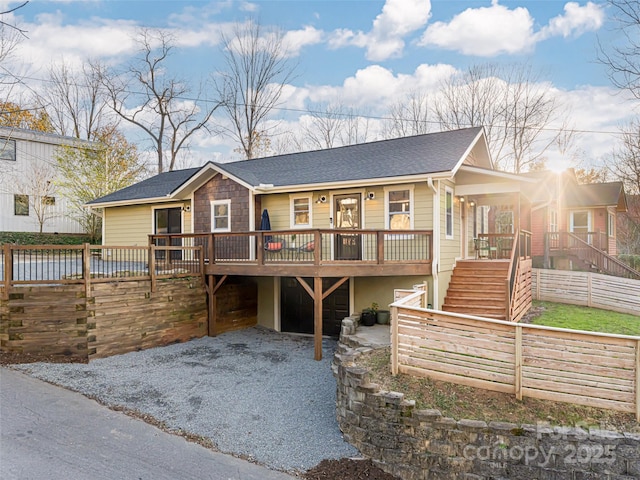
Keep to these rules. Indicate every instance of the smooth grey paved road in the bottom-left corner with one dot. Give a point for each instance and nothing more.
(49, 432)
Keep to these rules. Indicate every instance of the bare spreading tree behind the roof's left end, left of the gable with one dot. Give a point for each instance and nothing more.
(163, 106)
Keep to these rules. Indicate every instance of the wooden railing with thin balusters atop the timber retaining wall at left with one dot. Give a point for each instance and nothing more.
(86, 264)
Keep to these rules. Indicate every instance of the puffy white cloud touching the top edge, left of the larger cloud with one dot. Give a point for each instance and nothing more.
(386, 38)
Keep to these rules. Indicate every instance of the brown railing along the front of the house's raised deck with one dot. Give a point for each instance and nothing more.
(315, 247)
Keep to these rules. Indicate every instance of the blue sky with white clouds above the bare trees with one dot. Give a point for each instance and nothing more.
(364, 53)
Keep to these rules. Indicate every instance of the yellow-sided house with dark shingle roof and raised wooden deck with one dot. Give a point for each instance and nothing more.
(347, 225)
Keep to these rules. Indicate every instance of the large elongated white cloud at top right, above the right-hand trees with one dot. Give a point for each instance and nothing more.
(496, 30)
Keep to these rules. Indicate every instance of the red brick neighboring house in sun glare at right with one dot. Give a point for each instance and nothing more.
(574, 224)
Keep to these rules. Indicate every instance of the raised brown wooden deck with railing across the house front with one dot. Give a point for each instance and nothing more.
(311, 253)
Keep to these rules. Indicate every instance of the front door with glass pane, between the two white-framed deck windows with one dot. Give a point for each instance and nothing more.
(347, 214)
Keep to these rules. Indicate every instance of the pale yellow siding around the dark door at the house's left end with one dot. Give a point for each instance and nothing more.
(132, 225)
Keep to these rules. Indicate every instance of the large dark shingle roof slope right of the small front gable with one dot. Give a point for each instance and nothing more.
(420, 154)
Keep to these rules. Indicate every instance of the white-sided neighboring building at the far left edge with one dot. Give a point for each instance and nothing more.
(29, 198)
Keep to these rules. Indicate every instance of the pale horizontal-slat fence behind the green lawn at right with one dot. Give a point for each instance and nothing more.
(590, 289)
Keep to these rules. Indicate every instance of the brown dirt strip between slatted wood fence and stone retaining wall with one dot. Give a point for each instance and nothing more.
(460, 401)
